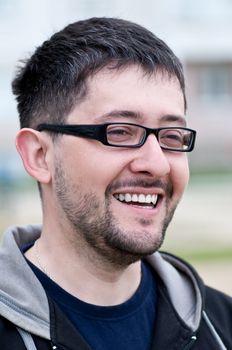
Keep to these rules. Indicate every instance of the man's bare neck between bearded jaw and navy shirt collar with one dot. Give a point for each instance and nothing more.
(84, 274)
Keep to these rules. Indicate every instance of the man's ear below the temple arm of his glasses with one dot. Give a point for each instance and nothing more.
(33, 148)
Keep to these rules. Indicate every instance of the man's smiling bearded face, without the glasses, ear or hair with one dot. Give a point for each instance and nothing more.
(100, 189)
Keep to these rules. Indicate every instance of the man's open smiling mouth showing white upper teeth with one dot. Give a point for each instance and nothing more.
(139, 200)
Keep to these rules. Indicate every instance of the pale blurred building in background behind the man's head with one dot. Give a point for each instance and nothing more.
(199, 32)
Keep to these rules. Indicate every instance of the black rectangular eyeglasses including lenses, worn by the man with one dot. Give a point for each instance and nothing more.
(129, 135)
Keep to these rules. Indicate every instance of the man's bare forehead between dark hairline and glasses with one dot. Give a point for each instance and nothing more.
(132, 93)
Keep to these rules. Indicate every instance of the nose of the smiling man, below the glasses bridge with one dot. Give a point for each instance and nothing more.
(150, 159)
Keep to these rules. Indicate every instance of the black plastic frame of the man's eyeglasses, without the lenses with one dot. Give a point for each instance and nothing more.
(98, 132)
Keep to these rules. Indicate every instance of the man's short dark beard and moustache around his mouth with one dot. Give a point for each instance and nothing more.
(93, 222)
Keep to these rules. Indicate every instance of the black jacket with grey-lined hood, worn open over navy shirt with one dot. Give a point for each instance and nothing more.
(186, 306)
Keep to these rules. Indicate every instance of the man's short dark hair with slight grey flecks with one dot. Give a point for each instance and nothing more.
(50, 83)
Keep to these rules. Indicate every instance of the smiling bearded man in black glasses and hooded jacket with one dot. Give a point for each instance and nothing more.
(103, 132)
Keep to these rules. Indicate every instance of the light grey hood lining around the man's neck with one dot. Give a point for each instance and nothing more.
(23, 300)
